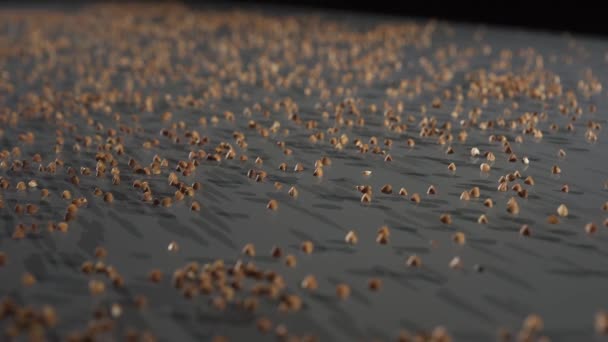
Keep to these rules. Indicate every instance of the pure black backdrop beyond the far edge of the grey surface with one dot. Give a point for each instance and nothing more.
(583, 17)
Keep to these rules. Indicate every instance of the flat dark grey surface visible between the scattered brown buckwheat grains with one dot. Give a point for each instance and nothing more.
(560, 272)
